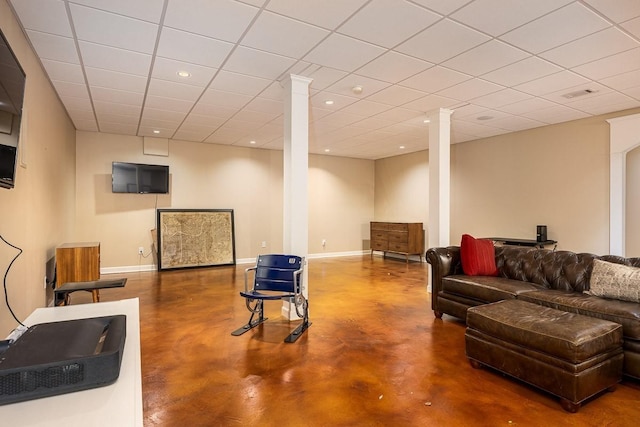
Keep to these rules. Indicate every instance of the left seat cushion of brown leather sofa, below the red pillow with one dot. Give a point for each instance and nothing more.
(486, 288)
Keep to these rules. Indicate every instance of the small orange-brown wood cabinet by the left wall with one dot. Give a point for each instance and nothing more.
(77, 262)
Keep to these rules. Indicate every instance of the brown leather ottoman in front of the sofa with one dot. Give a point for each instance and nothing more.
(569, 355)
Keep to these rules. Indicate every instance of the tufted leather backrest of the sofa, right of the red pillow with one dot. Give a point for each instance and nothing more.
(561, 270)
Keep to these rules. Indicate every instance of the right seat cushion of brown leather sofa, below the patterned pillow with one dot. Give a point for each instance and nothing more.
(623, 312)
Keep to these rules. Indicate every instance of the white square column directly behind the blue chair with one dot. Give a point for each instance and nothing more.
(296, 173)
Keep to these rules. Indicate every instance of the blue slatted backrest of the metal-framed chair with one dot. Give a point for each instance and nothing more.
(276, 273)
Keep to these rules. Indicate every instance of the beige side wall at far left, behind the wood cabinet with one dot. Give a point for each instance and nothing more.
(38, 213)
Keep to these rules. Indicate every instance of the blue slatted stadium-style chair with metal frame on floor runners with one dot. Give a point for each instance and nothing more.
(275, 277)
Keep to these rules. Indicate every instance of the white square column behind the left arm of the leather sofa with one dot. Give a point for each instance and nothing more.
(439, 177)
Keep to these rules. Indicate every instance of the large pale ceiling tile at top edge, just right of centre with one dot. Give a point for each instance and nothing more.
(372, 23)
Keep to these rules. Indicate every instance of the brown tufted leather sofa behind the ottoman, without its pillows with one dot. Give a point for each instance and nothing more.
(553, 279)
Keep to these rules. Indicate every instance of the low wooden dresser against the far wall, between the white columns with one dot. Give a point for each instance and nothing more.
(405, 238)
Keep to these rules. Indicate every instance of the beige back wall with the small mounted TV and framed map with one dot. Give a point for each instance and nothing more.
(207, 176)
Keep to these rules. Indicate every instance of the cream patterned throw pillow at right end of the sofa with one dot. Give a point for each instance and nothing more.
(617, 281)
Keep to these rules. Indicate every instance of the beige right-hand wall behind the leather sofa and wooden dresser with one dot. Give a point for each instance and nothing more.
(506, 185)
